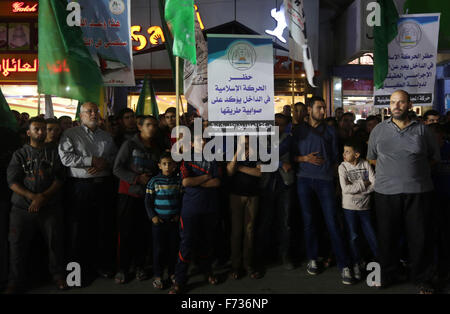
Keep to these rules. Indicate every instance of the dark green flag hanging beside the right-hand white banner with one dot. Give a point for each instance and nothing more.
(383, 35)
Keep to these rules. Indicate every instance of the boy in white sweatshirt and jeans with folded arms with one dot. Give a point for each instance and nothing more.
(357, 180)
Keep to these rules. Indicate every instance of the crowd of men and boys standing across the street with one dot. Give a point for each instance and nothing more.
(106, 193)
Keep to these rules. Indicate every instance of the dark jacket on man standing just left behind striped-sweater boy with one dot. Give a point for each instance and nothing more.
(133, 160)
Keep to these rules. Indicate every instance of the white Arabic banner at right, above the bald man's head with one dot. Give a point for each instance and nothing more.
(412, 60)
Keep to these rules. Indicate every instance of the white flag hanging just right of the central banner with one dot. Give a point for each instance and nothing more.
(298, 40)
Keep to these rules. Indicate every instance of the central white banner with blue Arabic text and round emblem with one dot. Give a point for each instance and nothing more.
(240, 84)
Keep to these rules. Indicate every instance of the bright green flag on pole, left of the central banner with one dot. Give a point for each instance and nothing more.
(179, 14)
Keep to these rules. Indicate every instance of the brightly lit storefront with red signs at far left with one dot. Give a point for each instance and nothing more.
(19, 60)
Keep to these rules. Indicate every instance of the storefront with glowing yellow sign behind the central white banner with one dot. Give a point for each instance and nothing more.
(216, 17)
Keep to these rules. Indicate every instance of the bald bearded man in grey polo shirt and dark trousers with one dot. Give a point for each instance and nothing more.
(403, 151)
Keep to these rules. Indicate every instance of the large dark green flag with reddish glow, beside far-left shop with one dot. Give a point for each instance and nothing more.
(66, 68)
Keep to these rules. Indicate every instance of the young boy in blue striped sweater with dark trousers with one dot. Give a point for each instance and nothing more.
(163, 205)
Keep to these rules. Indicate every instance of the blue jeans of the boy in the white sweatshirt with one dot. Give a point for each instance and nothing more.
(354, 218)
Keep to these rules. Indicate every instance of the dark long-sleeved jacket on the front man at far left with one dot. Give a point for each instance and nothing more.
(36, 169)
